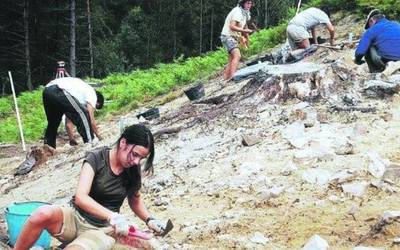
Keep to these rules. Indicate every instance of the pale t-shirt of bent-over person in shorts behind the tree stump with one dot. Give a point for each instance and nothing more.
(310, 18)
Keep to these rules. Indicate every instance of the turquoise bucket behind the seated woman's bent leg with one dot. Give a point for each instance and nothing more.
(16, 214)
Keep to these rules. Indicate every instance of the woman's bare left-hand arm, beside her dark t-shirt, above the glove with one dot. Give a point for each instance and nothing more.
(82, 198)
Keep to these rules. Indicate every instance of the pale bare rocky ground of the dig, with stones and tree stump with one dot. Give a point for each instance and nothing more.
(305, 158)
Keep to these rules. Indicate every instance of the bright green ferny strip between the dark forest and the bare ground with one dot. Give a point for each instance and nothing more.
(126, 90)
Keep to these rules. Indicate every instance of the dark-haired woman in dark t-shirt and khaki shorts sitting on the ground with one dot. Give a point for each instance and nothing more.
(107, 177)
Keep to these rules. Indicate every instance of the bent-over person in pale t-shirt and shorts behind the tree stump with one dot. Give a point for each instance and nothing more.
(304, 23)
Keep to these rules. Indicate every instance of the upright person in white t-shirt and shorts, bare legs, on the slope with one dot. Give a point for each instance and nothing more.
(234, 32)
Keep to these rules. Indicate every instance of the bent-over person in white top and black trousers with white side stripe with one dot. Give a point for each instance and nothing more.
(77, 100)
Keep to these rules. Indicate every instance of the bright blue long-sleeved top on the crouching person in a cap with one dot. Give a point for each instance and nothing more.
(385, 36)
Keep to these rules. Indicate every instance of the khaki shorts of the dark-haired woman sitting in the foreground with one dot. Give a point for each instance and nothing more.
(78, 232)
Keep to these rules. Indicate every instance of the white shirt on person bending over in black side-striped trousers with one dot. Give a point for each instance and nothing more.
(77, 88)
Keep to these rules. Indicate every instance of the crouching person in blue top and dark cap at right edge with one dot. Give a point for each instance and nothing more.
(380, 42)
